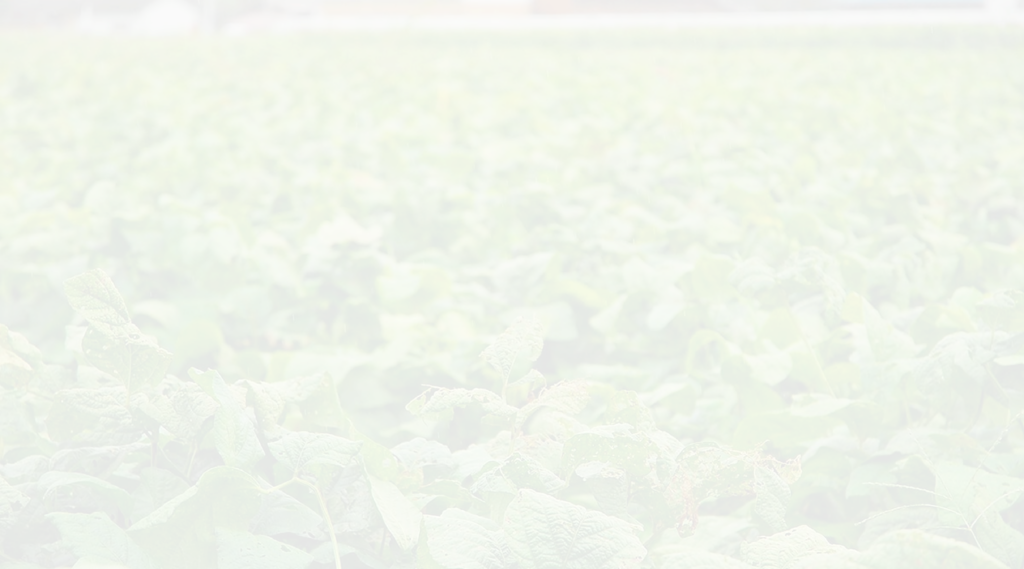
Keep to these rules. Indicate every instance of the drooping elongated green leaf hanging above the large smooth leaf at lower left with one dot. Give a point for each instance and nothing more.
(234, 433)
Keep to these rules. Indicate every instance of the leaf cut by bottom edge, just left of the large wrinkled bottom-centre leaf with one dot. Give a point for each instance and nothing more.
(457, 540)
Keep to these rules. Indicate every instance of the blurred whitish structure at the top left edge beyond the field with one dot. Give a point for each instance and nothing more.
(141, 18)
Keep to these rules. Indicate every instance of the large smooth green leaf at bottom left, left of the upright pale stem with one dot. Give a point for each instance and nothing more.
(181, 534)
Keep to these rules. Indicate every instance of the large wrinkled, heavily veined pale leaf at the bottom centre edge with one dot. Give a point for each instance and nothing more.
(545, 533)
